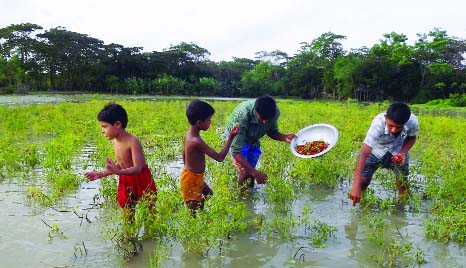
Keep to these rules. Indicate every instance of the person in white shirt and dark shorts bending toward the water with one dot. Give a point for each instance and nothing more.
(387, 143)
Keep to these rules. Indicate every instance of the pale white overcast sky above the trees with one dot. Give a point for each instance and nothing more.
(239, 28)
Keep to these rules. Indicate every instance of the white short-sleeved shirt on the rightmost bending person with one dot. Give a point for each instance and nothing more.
(381, 141)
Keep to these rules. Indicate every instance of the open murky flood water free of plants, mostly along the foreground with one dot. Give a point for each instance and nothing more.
(81, 240)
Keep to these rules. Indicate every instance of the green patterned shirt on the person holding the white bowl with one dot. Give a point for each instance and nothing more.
(250, 129)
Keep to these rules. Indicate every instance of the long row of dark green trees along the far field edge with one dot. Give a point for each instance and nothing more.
(61, 60)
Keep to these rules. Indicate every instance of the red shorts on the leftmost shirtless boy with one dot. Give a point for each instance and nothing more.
(132, 187)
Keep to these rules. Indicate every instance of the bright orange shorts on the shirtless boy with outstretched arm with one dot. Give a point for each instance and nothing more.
(192, 185)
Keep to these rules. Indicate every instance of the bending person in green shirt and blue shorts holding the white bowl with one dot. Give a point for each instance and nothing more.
(255, 119)
